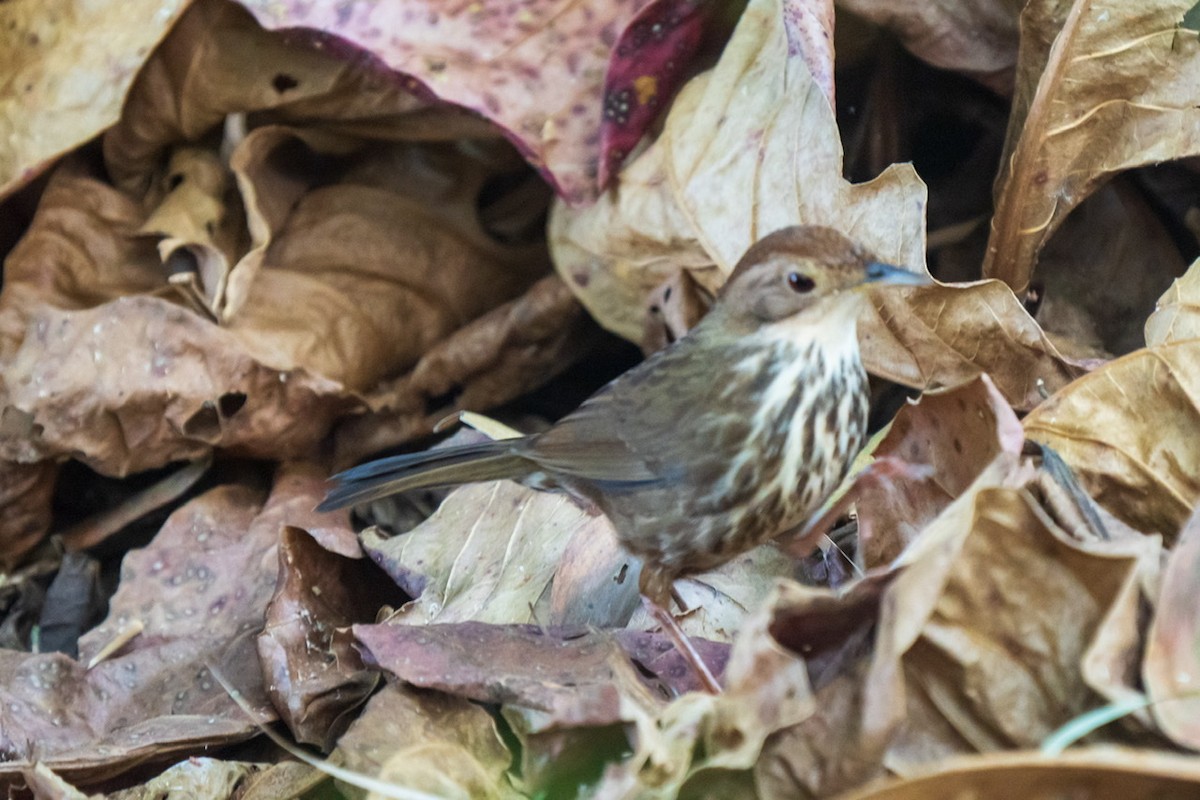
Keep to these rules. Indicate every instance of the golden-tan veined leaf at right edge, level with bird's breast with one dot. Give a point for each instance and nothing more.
(1129, 431)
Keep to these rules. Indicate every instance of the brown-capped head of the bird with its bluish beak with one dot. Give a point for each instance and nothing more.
(801, 268)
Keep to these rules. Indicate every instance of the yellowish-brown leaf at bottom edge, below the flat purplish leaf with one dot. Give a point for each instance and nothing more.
(429, 742)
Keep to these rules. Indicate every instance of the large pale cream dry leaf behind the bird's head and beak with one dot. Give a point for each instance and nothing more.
(734, 166)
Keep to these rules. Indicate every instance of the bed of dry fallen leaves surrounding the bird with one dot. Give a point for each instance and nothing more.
(285, 238)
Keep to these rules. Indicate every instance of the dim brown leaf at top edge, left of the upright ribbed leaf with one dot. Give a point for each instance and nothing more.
(977, 38)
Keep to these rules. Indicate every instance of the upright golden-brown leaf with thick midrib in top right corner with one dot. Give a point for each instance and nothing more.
(1101, 88)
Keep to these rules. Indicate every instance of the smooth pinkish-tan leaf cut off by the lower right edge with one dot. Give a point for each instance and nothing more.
(1173, 651)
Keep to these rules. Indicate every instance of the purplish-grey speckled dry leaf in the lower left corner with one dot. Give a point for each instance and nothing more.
(199, 588)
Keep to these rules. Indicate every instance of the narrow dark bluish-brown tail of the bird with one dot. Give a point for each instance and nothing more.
(488, 461)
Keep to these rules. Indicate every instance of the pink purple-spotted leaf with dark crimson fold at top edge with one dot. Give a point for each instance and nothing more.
(537, 71)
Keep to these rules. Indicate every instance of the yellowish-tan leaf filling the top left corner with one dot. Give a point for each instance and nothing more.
(69, 69)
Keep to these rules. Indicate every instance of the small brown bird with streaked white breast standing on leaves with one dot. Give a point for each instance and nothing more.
(735, 434)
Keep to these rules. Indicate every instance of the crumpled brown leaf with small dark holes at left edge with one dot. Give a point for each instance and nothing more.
(123, 381)
